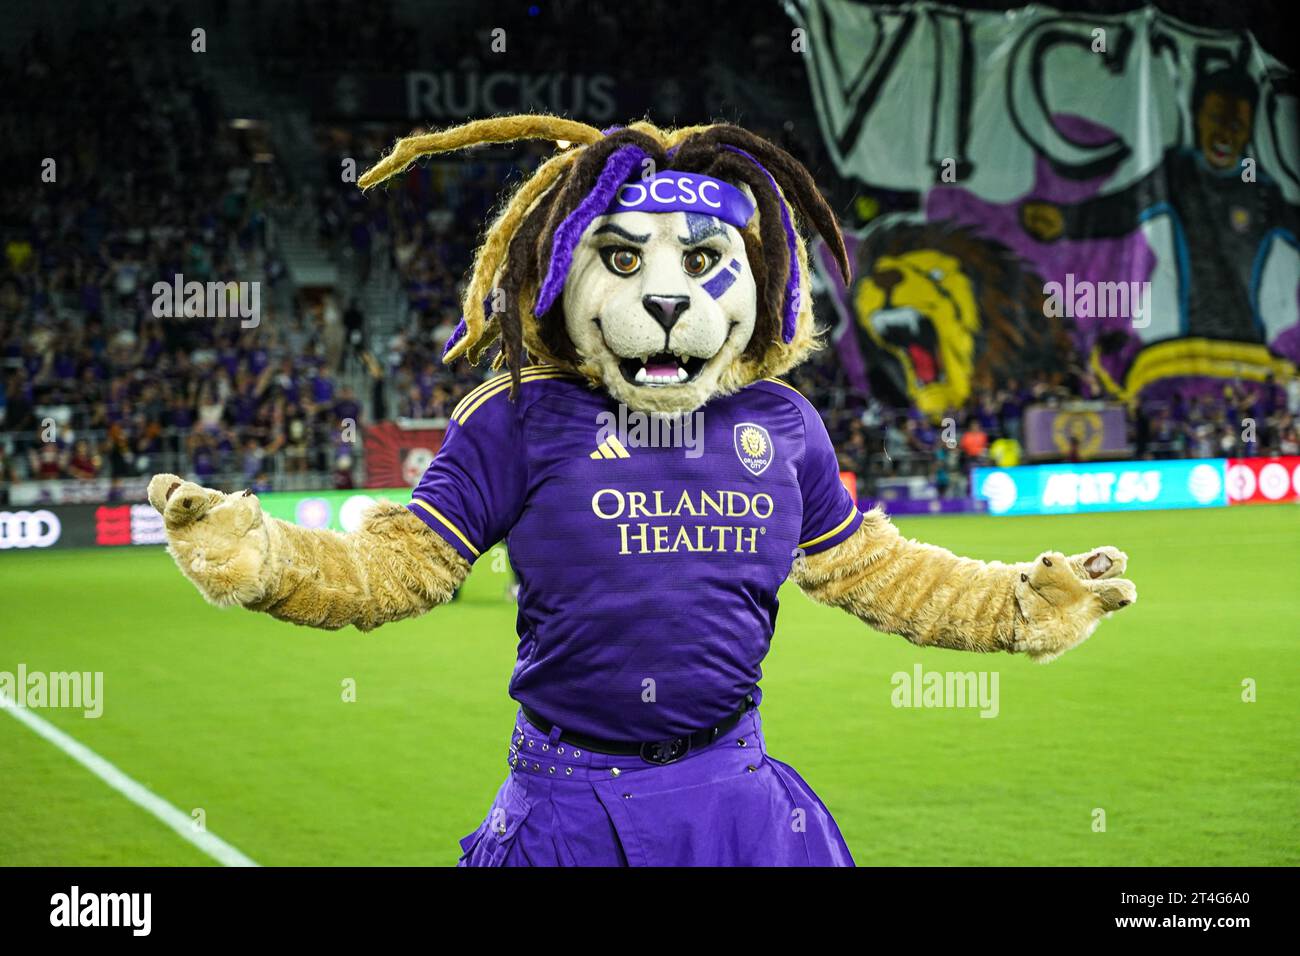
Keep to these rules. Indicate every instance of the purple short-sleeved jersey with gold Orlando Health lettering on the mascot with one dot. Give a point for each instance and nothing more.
(648, 574)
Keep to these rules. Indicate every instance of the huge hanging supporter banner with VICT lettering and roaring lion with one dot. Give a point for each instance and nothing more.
(1006, 227)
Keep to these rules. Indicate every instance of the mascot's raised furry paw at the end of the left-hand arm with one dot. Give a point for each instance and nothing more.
(219, 542)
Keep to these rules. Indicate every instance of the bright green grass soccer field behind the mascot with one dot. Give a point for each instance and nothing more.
(244, 717)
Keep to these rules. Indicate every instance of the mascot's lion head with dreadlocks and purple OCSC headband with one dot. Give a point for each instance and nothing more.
(664, 266)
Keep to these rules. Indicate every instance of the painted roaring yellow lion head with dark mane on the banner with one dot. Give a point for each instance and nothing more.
(942, 310)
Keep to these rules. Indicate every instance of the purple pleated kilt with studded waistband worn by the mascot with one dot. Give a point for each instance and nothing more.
(729, 804)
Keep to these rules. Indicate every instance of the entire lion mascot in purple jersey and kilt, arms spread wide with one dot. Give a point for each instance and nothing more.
(661, 271)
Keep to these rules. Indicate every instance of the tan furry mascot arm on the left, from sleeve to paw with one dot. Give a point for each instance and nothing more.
(389, 569)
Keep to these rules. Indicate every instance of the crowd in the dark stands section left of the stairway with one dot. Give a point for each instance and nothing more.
(148, 185)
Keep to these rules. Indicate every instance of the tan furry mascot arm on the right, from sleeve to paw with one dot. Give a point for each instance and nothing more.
(934, 598)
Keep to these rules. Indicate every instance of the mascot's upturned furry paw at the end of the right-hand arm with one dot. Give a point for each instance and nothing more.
(1063, 600)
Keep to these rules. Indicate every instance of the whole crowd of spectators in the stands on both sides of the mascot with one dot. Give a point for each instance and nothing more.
(157, 183)
